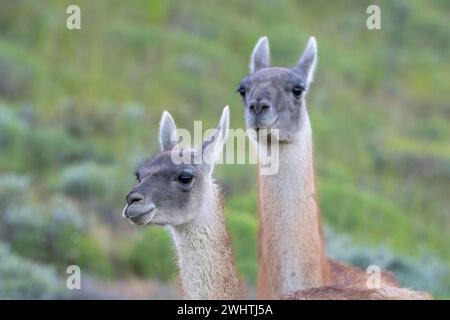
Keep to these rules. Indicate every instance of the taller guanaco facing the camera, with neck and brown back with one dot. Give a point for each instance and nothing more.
(291, 244)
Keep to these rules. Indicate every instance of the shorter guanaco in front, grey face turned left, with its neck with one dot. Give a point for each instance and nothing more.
(193, 213)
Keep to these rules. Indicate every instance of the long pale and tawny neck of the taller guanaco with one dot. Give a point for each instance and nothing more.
(291, 246)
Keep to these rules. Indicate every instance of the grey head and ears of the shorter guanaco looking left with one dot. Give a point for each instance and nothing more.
(170, 190)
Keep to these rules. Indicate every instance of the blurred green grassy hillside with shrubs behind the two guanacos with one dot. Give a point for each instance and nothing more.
(79, 109)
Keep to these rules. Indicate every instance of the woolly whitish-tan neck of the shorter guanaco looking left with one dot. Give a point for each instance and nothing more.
(204, 252)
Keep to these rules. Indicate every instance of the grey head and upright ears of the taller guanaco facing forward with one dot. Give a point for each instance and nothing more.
(269, 100)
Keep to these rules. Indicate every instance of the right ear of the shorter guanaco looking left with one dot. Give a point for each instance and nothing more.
(213, 145)
